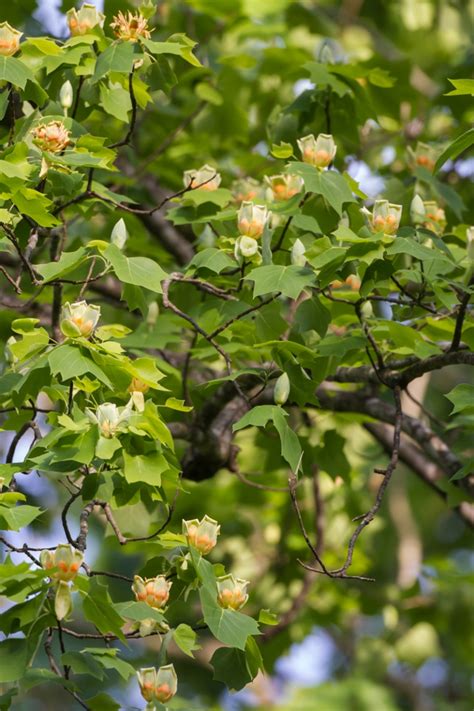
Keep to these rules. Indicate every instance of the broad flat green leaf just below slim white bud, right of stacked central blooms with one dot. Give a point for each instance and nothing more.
(289, 280)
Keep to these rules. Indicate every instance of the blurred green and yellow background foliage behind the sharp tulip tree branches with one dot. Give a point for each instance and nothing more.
(405, 641)
